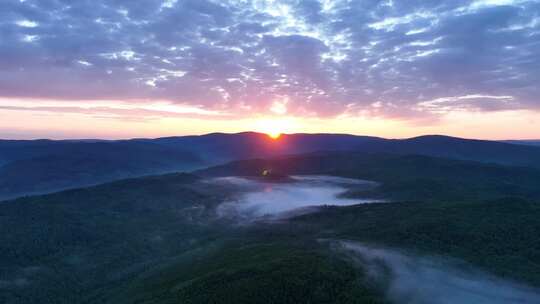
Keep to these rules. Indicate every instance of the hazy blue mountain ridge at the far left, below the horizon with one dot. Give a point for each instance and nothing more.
(33, 167)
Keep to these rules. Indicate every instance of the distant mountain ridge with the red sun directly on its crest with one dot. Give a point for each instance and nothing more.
(219, 147)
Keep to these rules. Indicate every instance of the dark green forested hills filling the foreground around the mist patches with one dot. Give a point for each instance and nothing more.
(160, 239)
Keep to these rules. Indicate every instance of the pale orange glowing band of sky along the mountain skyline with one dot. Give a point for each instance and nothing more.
(20, 120)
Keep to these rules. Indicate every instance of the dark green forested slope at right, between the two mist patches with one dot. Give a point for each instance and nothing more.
(501, 236)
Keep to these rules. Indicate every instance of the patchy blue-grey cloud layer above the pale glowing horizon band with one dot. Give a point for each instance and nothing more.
(323, 57)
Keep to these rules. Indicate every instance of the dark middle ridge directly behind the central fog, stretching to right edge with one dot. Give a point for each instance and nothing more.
(402, 177)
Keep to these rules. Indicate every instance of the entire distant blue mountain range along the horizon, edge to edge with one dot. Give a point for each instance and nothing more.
(40, 166)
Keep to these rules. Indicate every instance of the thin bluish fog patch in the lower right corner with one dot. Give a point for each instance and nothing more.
(422, 280)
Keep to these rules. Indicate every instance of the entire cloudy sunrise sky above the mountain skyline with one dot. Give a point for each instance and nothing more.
(150, 68)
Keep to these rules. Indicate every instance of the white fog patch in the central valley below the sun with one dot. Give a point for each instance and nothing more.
(296, 195)
